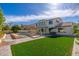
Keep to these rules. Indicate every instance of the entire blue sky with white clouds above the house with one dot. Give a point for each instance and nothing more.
(23, 12)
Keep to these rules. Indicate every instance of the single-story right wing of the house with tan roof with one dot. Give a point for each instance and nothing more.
(66, 27)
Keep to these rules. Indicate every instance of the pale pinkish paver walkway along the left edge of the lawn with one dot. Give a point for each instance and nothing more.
(6, 51)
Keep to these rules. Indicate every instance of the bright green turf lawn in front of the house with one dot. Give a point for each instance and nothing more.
(49, 46)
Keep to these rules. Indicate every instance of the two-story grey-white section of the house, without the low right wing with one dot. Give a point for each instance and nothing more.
(47, 26)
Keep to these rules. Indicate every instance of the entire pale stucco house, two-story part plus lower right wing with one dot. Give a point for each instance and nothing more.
(54, 25)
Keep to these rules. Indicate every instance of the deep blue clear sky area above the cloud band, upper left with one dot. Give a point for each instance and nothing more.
(23, 9)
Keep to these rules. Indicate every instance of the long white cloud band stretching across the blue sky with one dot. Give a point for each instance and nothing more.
(51, 13)
